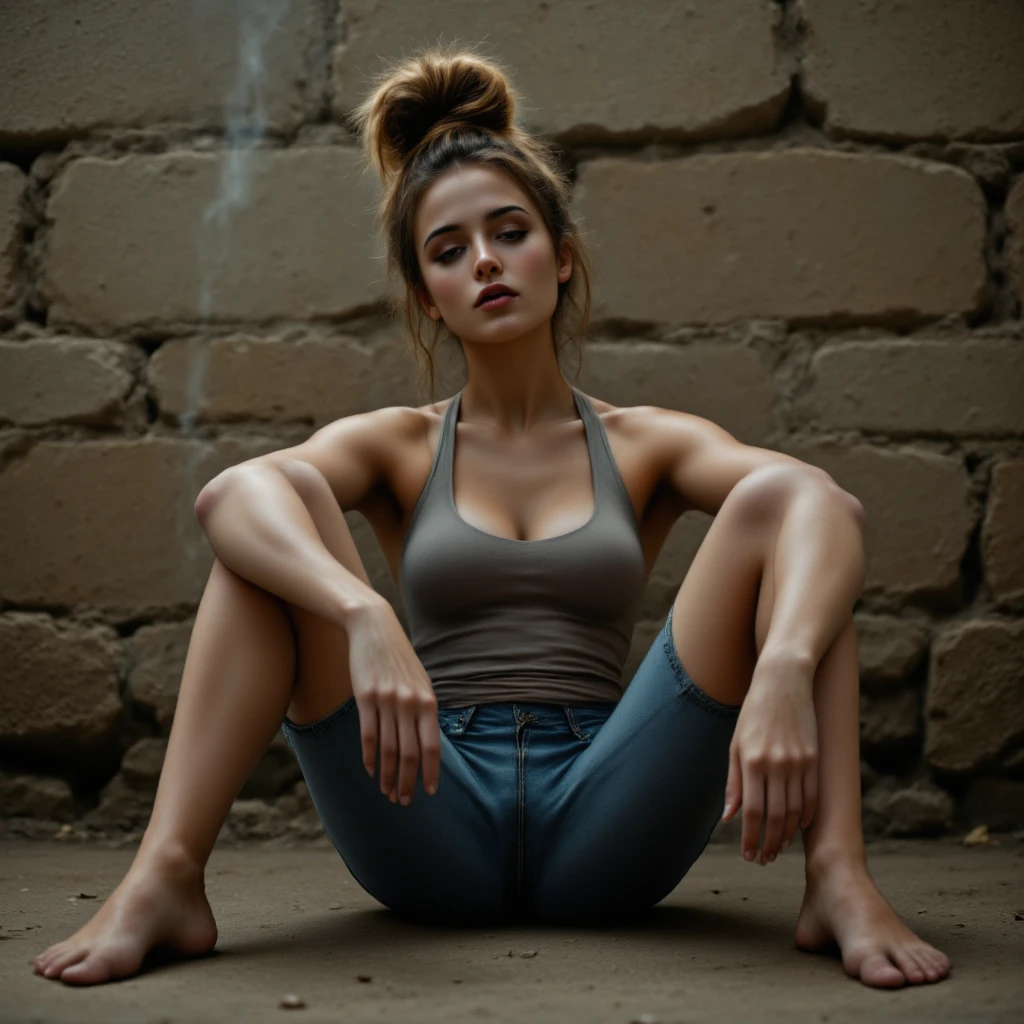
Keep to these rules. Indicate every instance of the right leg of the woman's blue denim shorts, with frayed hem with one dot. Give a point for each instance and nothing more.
(619, 830)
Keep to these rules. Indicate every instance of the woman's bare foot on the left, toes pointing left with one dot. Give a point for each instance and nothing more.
(160, 903)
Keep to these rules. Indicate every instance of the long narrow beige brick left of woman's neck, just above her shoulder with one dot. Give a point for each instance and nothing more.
(314, 378)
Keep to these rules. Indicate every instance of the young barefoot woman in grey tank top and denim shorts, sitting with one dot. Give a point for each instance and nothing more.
(518, 778)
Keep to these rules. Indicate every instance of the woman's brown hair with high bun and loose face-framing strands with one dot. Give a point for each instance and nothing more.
(449, 106)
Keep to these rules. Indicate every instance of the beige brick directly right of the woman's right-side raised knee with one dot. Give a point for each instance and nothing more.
(919, 518)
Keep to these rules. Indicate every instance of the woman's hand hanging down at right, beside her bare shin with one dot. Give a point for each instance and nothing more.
(774, 758)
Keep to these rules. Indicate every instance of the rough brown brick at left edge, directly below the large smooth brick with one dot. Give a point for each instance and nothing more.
(59, 684)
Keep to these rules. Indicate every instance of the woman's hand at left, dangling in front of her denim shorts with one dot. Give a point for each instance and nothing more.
(396, 701)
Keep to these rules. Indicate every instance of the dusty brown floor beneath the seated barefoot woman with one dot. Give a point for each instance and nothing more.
(720, 948)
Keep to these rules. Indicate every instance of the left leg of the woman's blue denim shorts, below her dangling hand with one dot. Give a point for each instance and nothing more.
(443, 858)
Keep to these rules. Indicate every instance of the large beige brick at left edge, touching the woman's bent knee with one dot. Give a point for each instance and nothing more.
(110, 524)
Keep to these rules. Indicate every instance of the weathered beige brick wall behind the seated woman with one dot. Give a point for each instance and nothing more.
(808, 221)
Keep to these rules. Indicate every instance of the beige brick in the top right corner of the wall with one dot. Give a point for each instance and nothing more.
(921, 69)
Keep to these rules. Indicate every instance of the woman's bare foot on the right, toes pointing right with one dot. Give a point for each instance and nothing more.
(843, 907)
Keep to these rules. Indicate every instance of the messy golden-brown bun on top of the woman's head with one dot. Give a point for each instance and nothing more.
(421, 99)
